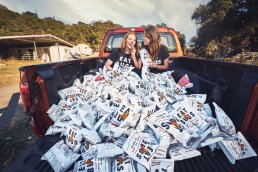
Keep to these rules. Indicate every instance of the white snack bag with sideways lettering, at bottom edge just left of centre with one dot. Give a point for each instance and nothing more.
(122, 163)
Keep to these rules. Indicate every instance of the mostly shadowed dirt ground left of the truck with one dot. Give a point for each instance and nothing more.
(15, 135)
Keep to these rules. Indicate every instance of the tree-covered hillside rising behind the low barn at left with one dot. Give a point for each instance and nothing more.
(28, 23)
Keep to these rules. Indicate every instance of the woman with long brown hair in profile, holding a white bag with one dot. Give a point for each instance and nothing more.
(153, 54)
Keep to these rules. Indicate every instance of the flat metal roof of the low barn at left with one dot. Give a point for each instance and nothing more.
(40, 40)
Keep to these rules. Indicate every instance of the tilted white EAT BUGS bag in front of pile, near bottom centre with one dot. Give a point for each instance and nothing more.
(140, 147)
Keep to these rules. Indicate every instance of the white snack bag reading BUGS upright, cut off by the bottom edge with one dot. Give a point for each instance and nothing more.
(93, 165)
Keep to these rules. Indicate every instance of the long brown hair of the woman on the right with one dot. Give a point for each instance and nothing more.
(152, 33)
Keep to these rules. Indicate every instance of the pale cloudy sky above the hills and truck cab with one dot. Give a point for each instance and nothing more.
(128, 13)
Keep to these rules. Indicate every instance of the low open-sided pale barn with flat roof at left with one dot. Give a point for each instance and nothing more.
(47, 48)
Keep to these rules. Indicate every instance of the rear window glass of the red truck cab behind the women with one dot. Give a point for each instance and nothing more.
(115, 40)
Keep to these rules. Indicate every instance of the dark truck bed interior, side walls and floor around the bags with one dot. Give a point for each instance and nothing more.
(232, 86)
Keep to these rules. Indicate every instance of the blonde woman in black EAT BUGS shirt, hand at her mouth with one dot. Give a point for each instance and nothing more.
(127, 55)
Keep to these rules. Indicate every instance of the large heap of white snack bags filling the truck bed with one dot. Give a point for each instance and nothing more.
(117, 121)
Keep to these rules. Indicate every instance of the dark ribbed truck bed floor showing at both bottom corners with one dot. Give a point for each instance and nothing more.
(209, 161)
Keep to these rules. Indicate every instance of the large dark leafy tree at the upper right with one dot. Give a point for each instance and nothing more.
(226, 27)
